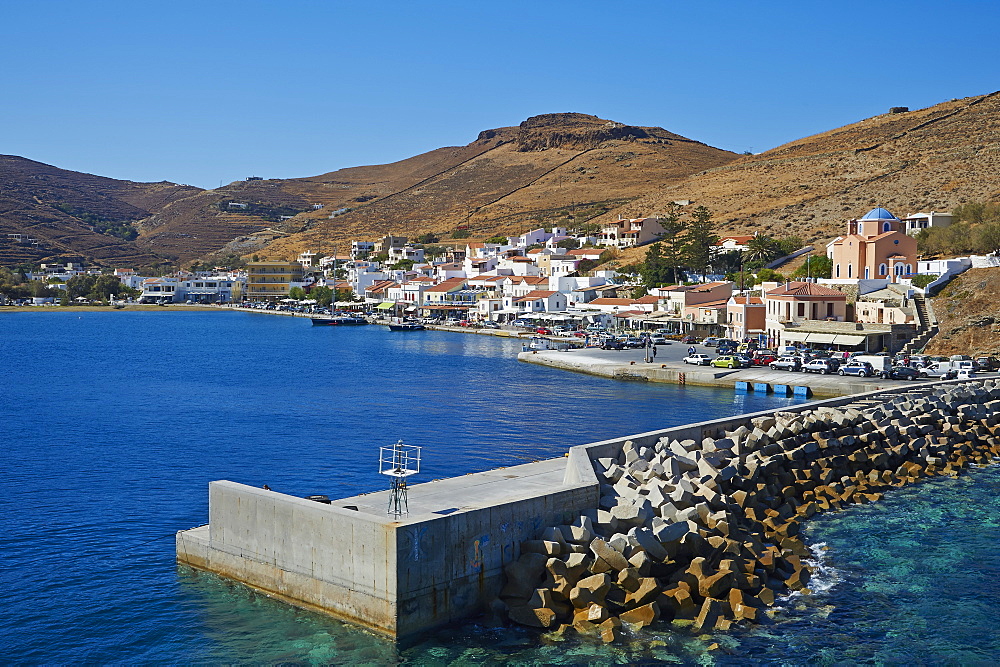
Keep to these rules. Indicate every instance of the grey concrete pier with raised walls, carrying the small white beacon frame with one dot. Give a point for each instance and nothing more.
(441, 562)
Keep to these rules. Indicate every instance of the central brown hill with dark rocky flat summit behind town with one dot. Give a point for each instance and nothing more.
(507, 181)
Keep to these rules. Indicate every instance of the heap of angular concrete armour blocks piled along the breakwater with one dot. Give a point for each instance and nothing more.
(701, 524)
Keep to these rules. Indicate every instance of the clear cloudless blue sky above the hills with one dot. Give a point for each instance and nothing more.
(203, 92)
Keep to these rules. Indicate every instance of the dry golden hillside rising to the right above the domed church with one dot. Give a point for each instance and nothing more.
(926, 159)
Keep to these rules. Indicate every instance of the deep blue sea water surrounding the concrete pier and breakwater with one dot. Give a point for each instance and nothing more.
(113, 423)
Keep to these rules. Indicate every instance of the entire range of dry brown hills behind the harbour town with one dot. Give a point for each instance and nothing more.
(560, 168)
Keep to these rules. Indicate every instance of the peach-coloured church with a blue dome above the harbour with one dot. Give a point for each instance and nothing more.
(876, 247)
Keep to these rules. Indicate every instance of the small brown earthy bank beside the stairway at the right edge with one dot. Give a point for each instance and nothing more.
(968, 313)
